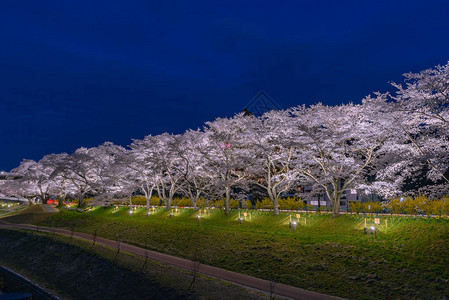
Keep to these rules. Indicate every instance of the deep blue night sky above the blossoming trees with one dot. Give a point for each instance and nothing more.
(78, 73)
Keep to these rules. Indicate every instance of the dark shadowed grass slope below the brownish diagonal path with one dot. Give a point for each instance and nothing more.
(77, 271)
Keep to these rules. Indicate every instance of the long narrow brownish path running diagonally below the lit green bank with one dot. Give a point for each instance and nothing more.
(250, 281)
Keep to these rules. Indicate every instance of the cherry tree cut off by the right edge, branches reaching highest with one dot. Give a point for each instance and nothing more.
(422, 111)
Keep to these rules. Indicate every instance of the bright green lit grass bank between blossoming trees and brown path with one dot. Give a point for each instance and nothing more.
(410, 257)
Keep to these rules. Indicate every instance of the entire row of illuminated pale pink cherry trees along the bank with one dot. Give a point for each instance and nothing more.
(378, 145)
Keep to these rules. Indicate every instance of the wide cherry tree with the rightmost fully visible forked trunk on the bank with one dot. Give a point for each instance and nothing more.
(338, 147)
